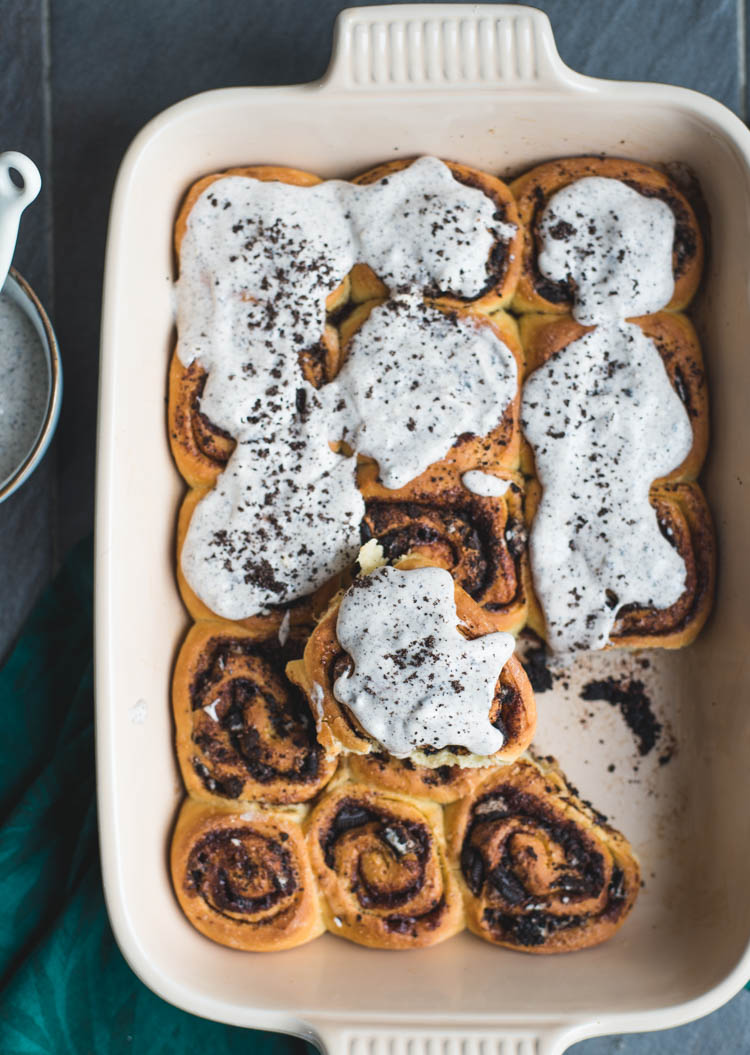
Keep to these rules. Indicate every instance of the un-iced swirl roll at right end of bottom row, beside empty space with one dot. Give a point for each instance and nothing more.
(540, 870)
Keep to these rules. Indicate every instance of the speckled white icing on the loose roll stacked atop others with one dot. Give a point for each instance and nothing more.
(417, 681)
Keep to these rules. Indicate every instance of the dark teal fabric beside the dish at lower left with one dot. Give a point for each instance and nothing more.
(65, 988)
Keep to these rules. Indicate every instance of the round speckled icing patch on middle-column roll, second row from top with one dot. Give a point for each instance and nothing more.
(415, 379)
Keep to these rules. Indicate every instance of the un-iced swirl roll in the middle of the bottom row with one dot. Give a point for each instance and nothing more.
(380, 861)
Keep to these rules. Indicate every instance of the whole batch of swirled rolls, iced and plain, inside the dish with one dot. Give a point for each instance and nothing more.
(496, 391)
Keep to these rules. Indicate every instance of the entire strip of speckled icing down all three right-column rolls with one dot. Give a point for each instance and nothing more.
(603, 417)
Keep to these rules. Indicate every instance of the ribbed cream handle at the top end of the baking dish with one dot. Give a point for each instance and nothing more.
(439, 46)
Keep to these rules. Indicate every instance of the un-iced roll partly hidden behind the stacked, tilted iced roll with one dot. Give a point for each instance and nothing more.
(482, 540)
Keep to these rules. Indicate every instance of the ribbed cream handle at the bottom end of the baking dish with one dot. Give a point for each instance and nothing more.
(361, 1040)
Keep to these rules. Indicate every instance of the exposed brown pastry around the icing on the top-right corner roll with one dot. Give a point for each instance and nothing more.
(533, 191)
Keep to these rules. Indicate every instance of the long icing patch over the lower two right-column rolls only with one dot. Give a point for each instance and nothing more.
(604, 421)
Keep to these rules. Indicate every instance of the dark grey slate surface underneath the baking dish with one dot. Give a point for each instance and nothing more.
(81, 78)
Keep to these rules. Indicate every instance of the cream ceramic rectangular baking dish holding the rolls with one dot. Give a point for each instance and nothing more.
(480, 85)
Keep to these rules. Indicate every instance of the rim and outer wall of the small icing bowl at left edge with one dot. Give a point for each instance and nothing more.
(23, 295)
